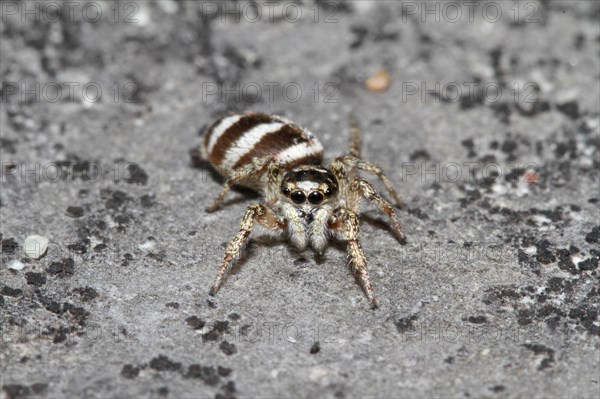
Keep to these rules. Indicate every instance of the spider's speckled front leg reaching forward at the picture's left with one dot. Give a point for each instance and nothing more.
(257, 212)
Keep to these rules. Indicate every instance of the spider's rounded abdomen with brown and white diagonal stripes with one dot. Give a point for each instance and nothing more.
(236, 140)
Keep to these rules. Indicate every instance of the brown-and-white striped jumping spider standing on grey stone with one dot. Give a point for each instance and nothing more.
(302, 198)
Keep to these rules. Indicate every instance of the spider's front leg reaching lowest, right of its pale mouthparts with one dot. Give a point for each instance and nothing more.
(348, 223)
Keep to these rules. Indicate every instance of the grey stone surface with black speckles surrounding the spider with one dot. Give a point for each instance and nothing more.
(490, 132)
